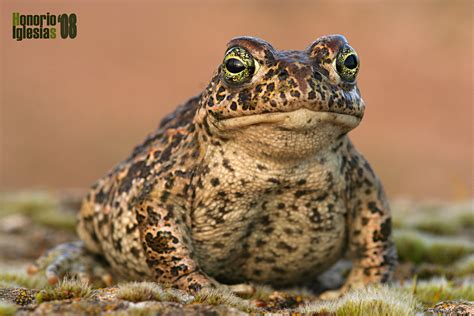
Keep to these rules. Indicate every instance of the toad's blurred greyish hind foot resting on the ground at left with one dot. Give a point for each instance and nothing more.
(72, 260)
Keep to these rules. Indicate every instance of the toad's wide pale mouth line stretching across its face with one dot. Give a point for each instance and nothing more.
(300, 119)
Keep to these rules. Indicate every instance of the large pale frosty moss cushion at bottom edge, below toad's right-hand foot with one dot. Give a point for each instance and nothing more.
(380, 300)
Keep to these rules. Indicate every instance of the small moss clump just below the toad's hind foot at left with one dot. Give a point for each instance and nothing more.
(65, 289)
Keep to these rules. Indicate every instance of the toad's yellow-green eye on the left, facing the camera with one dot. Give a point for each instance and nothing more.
(238, 65)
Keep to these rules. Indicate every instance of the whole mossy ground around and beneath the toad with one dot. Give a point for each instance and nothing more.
(435, 274)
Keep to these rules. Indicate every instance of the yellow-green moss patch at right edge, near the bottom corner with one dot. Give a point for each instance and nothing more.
(436, 290)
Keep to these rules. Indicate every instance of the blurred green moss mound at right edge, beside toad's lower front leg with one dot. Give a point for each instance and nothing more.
(418, 248)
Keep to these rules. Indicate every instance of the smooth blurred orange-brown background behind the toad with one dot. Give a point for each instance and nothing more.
(71, 109)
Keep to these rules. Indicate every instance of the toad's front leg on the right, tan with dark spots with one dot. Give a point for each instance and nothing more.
(371, 247)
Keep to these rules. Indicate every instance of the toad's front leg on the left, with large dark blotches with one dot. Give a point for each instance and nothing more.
(168, 247)
